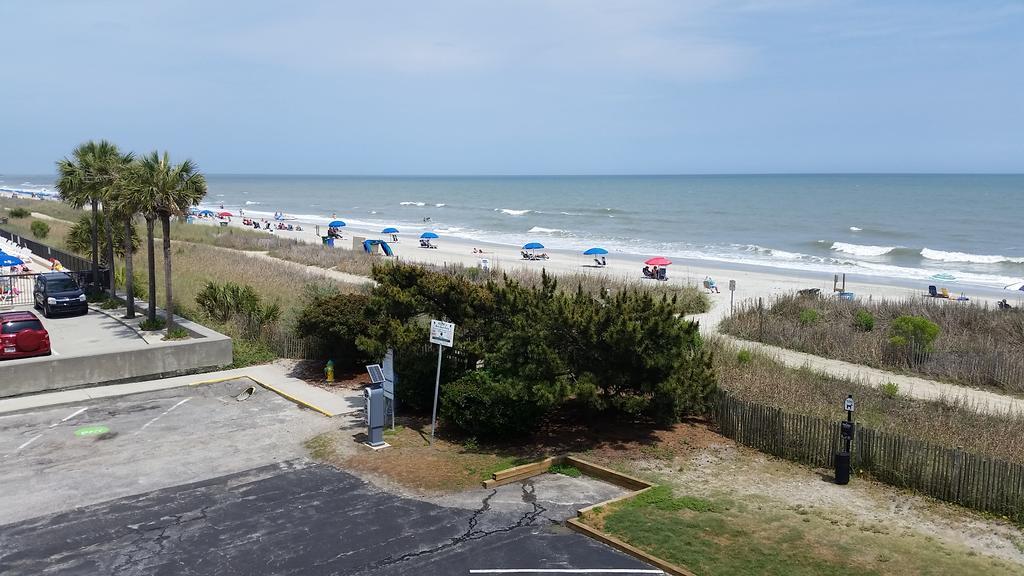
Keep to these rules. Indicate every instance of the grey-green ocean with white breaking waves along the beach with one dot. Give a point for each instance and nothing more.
(949, 229)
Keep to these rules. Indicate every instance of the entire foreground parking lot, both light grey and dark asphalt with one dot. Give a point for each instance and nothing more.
(192, 481)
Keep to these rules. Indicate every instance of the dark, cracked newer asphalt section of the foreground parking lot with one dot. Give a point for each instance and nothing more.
(304, 518)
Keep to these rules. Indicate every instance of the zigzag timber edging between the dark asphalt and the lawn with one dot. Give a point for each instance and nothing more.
(635, 485)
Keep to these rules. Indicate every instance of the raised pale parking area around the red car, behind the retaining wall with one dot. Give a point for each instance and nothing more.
(84, 335)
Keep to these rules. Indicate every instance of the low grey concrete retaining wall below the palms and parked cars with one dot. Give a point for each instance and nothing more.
(210, 350)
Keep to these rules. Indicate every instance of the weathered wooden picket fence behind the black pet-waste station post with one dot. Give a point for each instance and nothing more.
(969, 480)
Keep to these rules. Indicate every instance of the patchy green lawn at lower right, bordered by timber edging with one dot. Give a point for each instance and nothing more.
(727, 538)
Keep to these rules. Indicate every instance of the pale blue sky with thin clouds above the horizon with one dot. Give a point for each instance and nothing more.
(541, 87)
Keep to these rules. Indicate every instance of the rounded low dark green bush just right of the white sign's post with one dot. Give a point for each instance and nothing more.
(483, 405)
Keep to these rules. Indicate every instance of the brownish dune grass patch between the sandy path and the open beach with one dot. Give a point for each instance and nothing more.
(977, 346)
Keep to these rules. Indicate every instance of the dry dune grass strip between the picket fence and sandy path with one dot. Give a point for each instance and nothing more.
(753, 377)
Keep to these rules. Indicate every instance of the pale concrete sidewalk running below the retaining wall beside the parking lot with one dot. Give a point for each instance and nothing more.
(271, 377)
